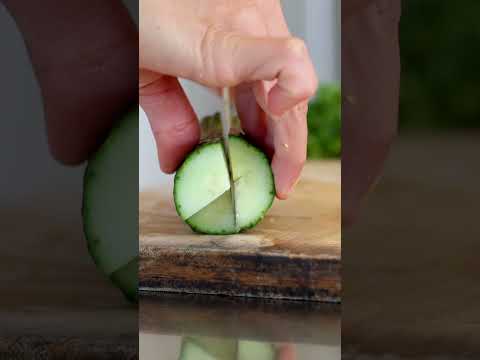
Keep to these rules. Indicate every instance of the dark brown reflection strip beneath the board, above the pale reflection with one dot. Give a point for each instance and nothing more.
(269, 320)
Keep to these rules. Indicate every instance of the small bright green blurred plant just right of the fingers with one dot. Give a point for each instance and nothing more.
(324, 124)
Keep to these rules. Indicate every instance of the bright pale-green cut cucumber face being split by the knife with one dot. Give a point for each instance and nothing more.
(202, 187)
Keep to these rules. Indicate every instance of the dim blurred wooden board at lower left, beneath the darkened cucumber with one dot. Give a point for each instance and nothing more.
(54, 303)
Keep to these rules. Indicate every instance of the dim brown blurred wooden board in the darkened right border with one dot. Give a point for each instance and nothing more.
(412, 262)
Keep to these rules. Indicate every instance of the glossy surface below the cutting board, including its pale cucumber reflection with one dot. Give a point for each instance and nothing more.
(184, 327)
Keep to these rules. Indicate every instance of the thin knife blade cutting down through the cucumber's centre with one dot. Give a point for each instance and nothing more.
(226, 120)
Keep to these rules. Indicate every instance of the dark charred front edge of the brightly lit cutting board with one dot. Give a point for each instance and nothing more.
(246, 274)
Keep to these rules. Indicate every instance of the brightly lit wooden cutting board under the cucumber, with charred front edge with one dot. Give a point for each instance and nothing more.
(294, 253)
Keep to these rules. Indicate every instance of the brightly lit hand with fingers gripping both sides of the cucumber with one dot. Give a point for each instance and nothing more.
(243, 44)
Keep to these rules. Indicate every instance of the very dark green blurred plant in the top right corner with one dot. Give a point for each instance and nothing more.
(440, 81)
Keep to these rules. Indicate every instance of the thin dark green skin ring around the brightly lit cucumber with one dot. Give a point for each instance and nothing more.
(178, 177)
